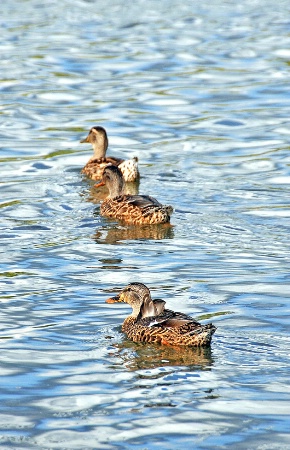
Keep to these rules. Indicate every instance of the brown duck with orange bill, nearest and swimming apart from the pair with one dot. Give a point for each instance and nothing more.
(151, 322)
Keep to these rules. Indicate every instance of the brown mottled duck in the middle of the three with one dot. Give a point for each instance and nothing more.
(134, 209)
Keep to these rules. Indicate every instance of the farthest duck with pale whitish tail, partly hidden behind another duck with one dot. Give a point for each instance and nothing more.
(95, 166)
